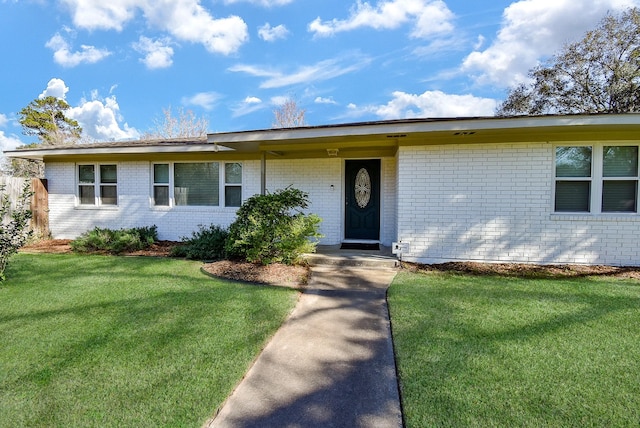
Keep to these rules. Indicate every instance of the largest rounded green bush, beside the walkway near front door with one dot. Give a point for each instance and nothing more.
(273, 228)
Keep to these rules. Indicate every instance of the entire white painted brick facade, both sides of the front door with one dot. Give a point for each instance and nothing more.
(481, 202)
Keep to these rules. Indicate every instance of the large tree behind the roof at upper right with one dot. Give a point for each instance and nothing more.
(598, 74)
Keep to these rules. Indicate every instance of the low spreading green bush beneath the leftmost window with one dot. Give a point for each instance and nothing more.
(115, 241)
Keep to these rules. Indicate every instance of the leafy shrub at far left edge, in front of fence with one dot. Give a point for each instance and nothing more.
(14, 225)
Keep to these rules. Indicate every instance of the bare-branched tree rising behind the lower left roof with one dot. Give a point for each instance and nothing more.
(184, 125)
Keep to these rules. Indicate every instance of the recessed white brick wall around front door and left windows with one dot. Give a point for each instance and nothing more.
(314, 176)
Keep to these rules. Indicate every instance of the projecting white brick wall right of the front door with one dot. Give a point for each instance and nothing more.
(494, 203)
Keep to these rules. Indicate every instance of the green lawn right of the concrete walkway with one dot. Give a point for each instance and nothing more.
(497, 351)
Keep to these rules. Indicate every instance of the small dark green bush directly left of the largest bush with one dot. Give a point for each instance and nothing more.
(208, 243)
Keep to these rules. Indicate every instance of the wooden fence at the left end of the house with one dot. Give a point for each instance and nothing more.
(39, 201)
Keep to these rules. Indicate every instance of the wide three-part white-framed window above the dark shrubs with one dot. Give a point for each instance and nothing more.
(197, 184)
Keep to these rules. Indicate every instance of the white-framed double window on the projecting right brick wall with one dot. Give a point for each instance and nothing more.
(596, 179)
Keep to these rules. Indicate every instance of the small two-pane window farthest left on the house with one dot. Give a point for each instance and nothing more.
(98, 184)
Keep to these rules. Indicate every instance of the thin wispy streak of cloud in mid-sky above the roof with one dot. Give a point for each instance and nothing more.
(323, 70)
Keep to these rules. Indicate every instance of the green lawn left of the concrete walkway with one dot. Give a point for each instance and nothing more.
(119, 341)
